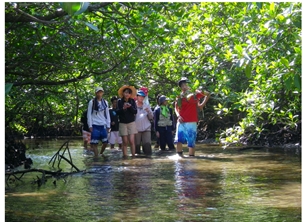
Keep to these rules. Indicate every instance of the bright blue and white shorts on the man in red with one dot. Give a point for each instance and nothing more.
(186, 132)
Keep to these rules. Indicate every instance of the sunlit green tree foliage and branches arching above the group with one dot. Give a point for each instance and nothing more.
(247, 54)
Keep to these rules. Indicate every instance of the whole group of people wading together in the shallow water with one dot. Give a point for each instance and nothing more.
(128, 121)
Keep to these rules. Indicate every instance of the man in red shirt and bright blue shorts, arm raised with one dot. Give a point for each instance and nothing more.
(186, 110)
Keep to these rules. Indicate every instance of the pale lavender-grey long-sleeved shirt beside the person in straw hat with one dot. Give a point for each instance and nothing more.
(142, 119)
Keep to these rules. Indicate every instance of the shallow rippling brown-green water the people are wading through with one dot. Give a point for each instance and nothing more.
(217, 185)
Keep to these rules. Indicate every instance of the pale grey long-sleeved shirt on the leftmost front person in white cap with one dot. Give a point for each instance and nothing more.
(100, 117)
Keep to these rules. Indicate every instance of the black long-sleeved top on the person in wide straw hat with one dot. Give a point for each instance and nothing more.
(126, 115)
